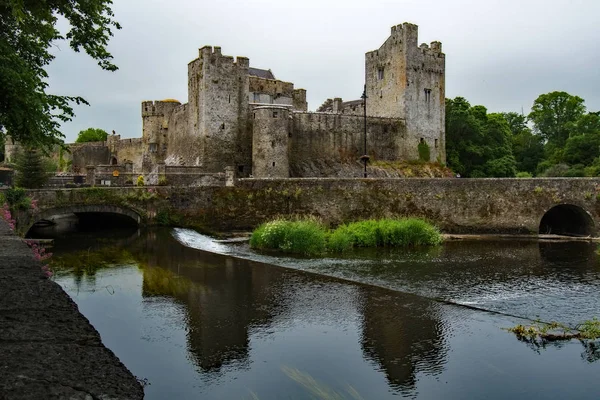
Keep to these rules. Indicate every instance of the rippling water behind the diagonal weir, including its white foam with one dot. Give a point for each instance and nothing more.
(547, 281)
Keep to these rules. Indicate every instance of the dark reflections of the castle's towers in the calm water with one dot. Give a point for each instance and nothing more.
(227, 298)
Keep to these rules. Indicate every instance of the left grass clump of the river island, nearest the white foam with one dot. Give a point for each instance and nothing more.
(304, 236)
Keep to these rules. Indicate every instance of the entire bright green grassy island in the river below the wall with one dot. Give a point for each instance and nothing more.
(309, 236)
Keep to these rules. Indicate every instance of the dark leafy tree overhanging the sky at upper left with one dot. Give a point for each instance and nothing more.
(28, 114)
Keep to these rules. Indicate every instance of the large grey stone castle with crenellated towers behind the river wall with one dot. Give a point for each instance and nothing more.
(243, 117)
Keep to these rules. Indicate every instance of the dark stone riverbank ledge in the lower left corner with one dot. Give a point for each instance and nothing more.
(49, 349)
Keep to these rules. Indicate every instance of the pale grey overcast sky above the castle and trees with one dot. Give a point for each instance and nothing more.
(499, 53)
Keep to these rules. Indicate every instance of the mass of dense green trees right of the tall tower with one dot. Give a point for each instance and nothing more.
(565, 140)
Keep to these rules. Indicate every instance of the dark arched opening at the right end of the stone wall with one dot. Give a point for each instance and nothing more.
(569, 220)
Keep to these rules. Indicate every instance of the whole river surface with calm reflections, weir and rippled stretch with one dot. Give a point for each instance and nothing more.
(196, 318)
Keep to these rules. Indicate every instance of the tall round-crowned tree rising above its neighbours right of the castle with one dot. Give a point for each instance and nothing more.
(553, 113)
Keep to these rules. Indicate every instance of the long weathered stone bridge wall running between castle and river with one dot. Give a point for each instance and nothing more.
(549, 205)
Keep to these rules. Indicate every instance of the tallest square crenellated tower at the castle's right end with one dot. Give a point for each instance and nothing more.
(407, 81)
